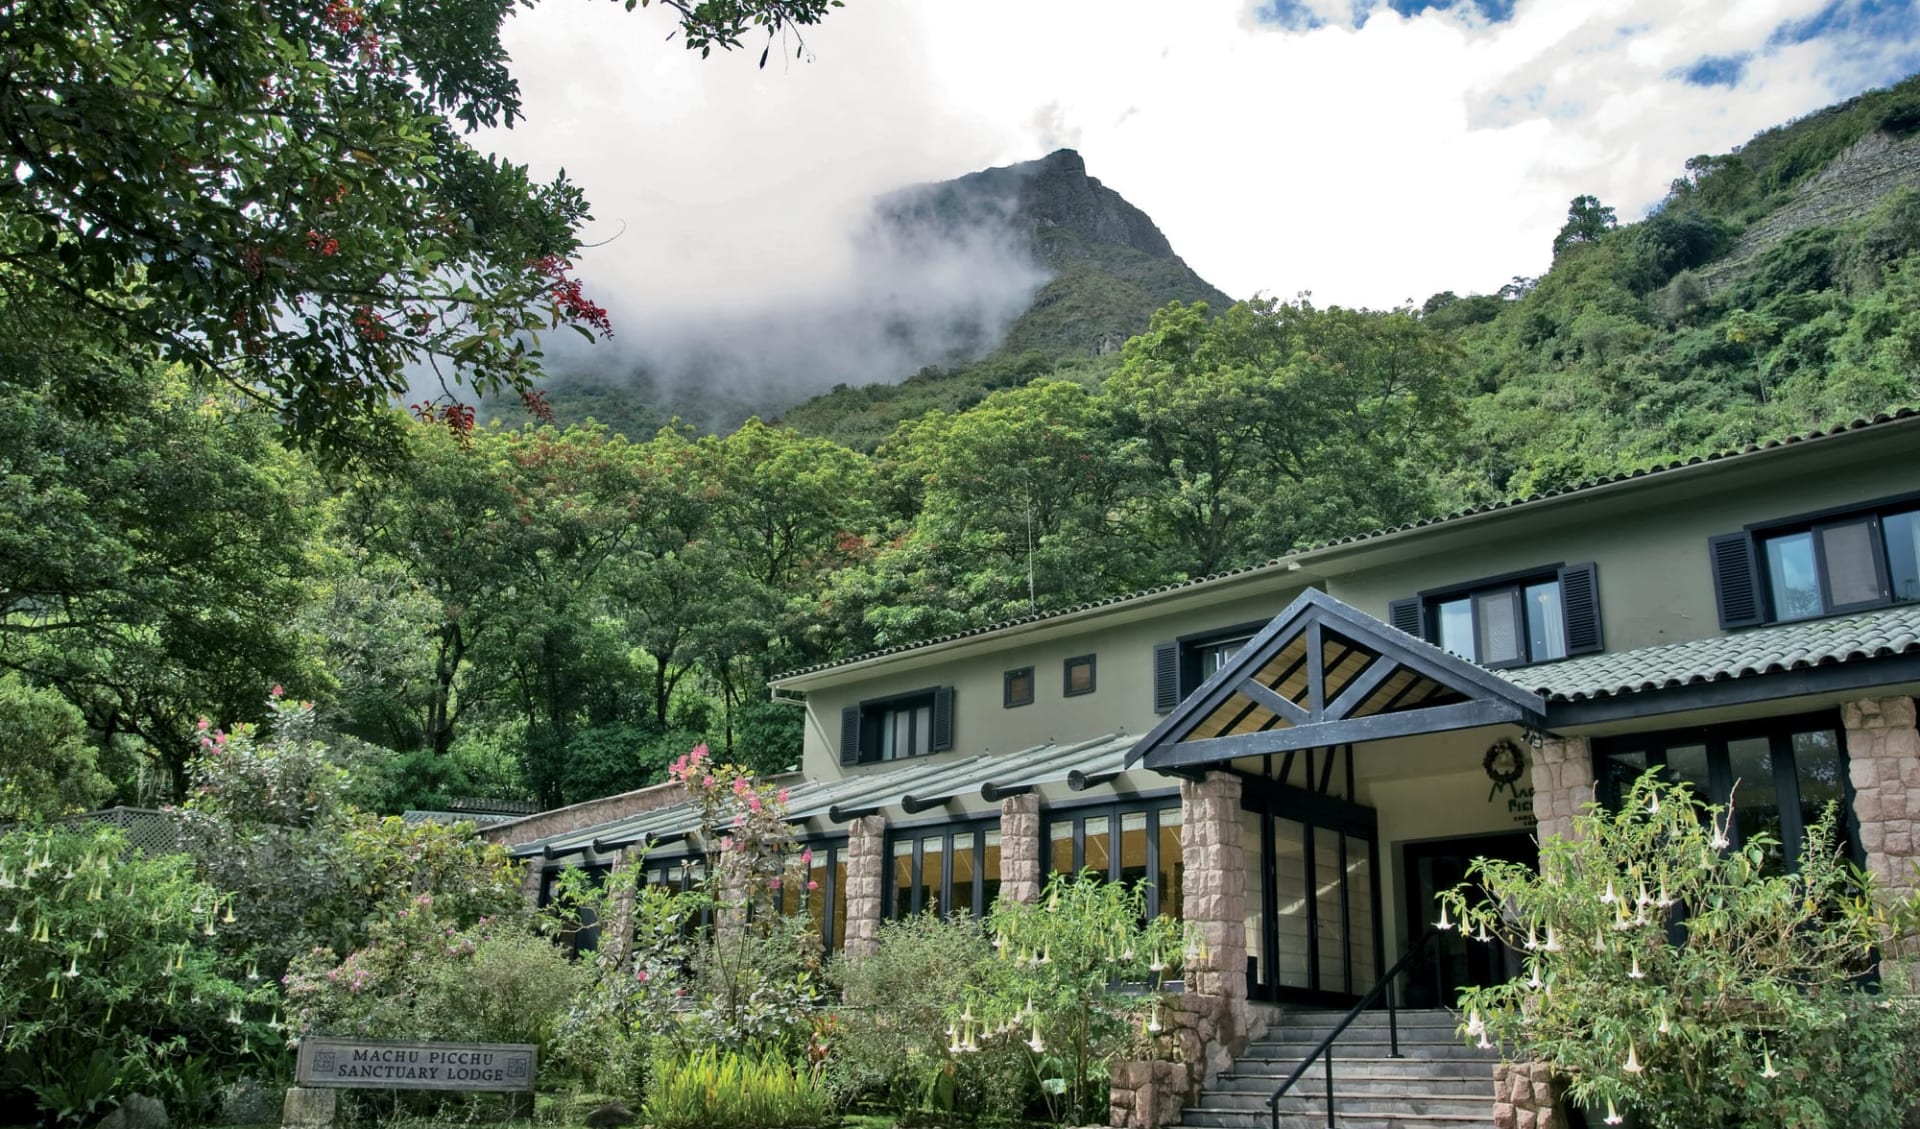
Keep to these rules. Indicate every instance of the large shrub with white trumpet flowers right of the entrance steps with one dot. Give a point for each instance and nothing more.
(1687, 982)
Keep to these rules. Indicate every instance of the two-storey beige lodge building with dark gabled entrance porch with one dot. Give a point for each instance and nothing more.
(1301, 756)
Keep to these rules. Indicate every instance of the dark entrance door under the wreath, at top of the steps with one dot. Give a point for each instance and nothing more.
(1435, 869)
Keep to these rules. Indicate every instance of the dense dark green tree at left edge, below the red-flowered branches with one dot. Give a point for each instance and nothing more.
(153, 552)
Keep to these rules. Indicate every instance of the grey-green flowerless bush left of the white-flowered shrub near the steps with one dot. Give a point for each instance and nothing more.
(892, 1045)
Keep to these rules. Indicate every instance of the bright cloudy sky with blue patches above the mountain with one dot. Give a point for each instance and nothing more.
(1368, 153)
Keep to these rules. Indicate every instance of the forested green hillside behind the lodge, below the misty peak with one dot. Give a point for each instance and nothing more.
(556, 612)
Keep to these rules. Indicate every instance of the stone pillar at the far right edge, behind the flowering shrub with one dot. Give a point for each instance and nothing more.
(1884, 767)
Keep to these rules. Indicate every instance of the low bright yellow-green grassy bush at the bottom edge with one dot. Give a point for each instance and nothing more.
(731, 1090)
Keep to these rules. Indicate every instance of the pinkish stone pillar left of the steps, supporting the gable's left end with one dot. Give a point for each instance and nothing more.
(1216, 884)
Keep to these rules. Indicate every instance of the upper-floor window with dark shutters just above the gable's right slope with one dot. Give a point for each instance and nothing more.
(1510, 621)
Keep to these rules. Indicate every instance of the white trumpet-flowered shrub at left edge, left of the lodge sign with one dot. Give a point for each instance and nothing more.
(110, 971)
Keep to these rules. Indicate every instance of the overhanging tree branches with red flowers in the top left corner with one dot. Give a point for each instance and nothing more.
(281, 197)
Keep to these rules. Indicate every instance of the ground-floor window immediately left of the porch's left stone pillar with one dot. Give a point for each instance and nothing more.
(1134, 844)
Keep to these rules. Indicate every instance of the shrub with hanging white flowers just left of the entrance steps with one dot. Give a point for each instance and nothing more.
(1055, 982)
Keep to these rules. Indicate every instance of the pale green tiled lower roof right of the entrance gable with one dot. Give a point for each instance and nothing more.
(1800, 646)
